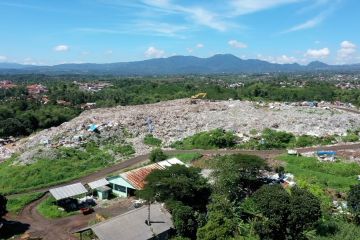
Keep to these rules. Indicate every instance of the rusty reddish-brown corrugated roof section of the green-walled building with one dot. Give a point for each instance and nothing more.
(137, 177)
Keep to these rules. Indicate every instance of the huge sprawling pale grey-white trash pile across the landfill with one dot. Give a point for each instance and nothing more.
(177, 119)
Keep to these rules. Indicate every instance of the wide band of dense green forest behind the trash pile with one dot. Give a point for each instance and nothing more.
(22, 113)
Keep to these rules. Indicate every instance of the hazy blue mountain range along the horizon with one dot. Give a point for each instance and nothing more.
(217, 64)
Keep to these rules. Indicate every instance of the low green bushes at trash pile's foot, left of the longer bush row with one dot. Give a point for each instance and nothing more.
(214, 139)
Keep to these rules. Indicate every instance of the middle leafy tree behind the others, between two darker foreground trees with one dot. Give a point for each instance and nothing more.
(237, 176)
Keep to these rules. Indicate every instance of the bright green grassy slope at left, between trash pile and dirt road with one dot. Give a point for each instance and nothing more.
(70, 164)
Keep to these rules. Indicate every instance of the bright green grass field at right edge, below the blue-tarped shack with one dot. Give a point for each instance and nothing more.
(335, 175)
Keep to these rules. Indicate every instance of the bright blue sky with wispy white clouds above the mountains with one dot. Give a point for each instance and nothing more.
(282, 31)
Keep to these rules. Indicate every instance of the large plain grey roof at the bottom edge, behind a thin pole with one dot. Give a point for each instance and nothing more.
(131, 225)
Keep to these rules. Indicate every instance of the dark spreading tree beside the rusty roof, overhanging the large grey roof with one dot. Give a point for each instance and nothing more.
(185, 193)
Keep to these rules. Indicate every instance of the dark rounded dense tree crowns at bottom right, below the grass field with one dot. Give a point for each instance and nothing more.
(285, 215)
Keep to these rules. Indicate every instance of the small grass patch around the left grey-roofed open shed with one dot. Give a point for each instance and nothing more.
(49, 209)
